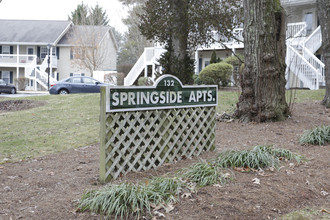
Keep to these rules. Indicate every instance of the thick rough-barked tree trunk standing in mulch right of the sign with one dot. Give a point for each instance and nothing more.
(263, 79)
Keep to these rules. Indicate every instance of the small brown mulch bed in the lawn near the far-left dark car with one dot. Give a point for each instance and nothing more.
(18, 105)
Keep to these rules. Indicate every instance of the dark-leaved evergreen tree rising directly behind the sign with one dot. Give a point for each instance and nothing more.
(185, 24)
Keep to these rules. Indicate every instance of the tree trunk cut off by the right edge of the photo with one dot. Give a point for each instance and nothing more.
(323, 11)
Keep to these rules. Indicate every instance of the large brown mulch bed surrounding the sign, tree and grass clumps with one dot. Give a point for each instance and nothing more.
(49, 187)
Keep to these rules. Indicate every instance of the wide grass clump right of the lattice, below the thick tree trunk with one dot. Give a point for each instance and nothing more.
(257, 157)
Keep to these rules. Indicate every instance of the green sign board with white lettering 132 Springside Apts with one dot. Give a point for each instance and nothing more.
(168, 92)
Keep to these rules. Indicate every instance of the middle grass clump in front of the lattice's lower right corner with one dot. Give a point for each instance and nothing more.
(204, 174)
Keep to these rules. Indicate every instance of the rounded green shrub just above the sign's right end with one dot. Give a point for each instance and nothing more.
(217, 73)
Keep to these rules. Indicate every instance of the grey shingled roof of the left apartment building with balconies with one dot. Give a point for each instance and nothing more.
(32, 32)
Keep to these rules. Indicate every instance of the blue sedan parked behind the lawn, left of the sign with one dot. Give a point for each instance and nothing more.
(76, 84)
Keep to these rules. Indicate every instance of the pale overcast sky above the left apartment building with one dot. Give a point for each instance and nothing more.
(59, 10)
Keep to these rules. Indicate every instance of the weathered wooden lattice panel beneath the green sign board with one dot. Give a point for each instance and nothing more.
(136, 141)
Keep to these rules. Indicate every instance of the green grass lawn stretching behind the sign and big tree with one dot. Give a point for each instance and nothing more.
(73, 121)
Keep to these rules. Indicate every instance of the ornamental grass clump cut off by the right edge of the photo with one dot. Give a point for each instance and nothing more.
(319, 135)
